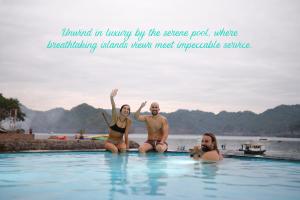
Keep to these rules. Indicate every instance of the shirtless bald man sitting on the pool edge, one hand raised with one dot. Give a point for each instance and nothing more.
(157, 127)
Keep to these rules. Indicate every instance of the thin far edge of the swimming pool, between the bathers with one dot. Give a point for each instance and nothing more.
(226, 155)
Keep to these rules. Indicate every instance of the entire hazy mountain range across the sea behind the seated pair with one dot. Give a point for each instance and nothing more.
(283, 121)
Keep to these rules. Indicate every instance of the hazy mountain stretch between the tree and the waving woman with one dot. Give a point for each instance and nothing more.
(60, 120)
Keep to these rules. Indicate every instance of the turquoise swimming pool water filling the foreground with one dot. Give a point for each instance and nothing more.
(102, 175)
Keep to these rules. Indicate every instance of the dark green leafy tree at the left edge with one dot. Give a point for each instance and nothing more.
(8, 106)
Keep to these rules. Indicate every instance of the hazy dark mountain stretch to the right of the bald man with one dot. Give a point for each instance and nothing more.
(280, 121)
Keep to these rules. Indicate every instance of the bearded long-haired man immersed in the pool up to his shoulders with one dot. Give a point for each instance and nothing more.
(208, 150)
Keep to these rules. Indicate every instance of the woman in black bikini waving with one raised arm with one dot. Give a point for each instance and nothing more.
(119, 127)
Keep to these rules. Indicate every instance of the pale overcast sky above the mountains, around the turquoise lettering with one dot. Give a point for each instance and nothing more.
(213, 80)
